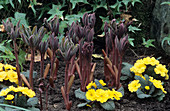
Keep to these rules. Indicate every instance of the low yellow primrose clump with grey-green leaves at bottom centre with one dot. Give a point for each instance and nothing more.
(98, 92)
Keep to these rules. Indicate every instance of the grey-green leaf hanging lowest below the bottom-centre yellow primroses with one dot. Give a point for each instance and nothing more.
(109, 105)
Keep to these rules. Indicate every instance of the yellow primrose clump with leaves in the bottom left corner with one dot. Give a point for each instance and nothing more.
(19, 96)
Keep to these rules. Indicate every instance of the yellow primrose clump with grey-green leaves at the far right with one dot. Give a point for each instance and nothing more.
(148, 73)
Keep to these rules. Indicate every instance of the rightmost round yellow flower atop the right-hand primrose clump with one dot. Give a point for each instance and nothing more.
(161, 69)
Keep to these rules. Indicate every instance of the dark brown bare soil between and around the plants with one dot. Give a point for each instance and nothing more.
(129, 102)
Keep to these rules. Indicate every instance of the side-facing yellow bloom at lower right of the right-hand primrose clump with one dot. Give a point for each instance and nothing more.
(157, 84)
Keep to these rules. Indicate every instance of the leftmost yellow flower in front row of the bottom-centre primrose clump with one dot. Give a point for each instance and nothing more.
(91, 95)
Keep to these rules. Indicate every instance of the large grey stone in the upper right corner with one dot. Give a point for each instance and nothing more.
(160, 26)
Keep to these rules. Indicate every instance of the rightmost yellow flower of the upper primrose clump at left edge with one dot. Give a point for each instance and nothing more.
(12, 76)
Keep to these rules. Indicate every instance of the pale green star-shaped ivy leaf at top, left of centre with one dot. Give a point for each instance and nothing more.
(55, 11)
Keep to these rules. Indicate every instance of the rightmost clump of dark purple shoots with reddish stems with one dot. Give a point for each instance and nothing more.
(116, 44)
